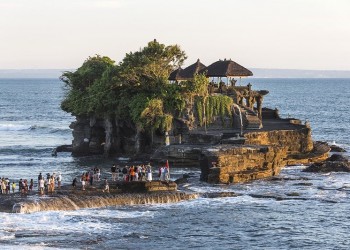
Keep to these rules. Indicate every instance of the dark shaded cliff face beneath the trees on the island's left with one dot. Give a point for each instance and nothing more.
(108, 136)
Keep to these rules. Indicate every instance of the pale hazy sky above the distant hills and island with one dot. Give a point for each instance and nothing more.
(293, 34)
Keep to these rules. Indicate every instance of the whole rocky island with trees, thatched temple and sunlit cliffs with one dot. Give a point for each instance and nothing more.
(201, 116)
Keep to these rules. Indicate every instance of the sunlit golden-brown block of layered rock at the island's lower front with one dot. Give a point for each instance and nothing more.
(231, 164)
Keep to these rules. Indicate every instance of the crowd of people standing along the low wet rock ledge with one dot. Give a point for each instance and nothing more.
(52, 181)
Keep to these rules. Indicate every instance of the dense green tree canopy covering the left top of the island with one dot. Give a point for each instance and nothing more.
(136, 89)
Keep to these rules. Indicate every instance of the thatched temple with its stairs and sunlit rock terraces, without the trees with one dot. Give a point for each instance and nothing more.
(254, 143)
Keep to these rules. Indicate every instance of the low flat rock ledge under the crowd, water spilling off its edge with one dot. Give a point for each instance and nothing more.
(68, 198)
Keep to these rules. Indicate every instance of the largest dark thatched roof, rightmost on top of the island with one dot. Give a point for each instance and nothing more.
(226, 68)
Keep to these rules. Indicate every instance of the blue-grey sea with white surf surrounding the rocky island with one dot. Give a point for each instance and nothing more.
(313, 214)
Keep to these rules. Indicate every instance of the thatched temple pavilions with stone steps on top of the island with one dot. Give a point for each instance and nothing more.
(223, 76)
